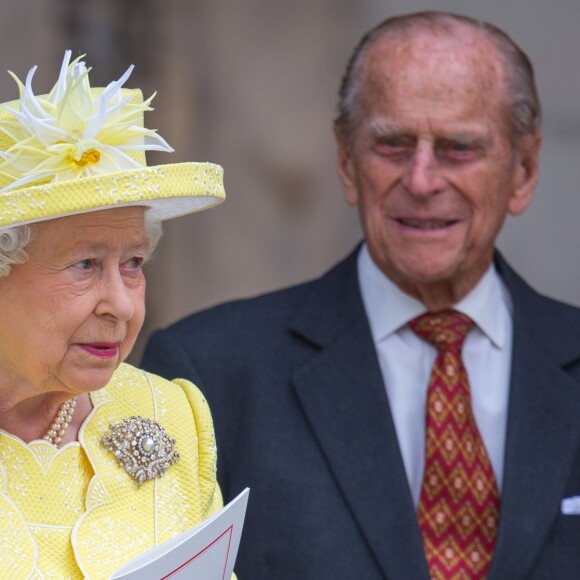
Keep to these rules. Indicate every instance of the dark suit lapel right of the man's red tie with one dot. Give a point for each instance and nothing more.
(542, 425)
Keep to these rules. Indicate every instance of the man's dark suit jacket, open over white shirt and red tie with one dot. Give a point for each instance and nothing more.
(302, 418)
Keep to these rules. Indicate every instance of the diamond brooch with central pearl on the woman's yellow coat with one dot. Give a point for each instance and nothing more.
(141, 447)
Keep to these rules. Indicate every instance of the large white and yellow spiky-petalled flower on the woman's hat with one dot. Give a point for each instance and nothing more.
(74, 132)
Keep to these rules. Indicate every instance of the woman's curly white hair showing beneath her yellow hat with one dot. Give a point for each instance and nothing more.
(15, 240)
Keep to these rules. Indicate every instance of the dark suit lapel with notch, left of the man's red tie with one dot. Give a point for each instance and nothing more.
(343, 397)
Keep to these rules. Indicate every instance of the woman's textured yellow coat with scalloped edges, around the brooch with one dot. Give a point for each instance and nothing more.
(74, 512)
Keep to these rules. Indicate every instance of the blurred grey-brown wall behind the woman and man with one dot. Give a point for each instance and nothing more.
(251, 84)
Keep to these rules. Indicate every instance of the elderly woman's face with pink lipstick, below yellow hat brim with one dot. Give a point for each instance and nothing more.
(70, 314)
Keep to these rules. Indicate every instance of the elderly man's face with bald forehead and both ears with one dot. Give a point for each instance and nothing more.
(430, 165)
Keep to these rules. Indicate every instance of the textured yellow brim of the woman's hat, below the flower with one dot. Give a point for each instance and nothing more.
(170, 191)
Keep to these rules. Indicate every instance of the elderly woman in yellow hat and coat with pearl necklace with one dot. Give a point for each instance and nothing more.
(99, 461)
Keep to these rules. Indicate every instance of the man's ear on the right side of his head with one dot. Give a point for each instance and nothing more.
(526, 174)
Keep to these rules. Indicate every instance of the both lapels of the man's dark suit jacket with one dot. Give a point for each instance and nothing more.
(343, 397)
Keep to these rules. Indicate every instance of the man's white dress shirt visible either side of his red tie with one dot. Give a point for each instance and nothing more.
(406, 362)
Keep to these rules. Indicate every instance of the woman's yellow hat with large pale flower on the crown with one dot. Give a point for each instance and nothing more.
(80, 149)
